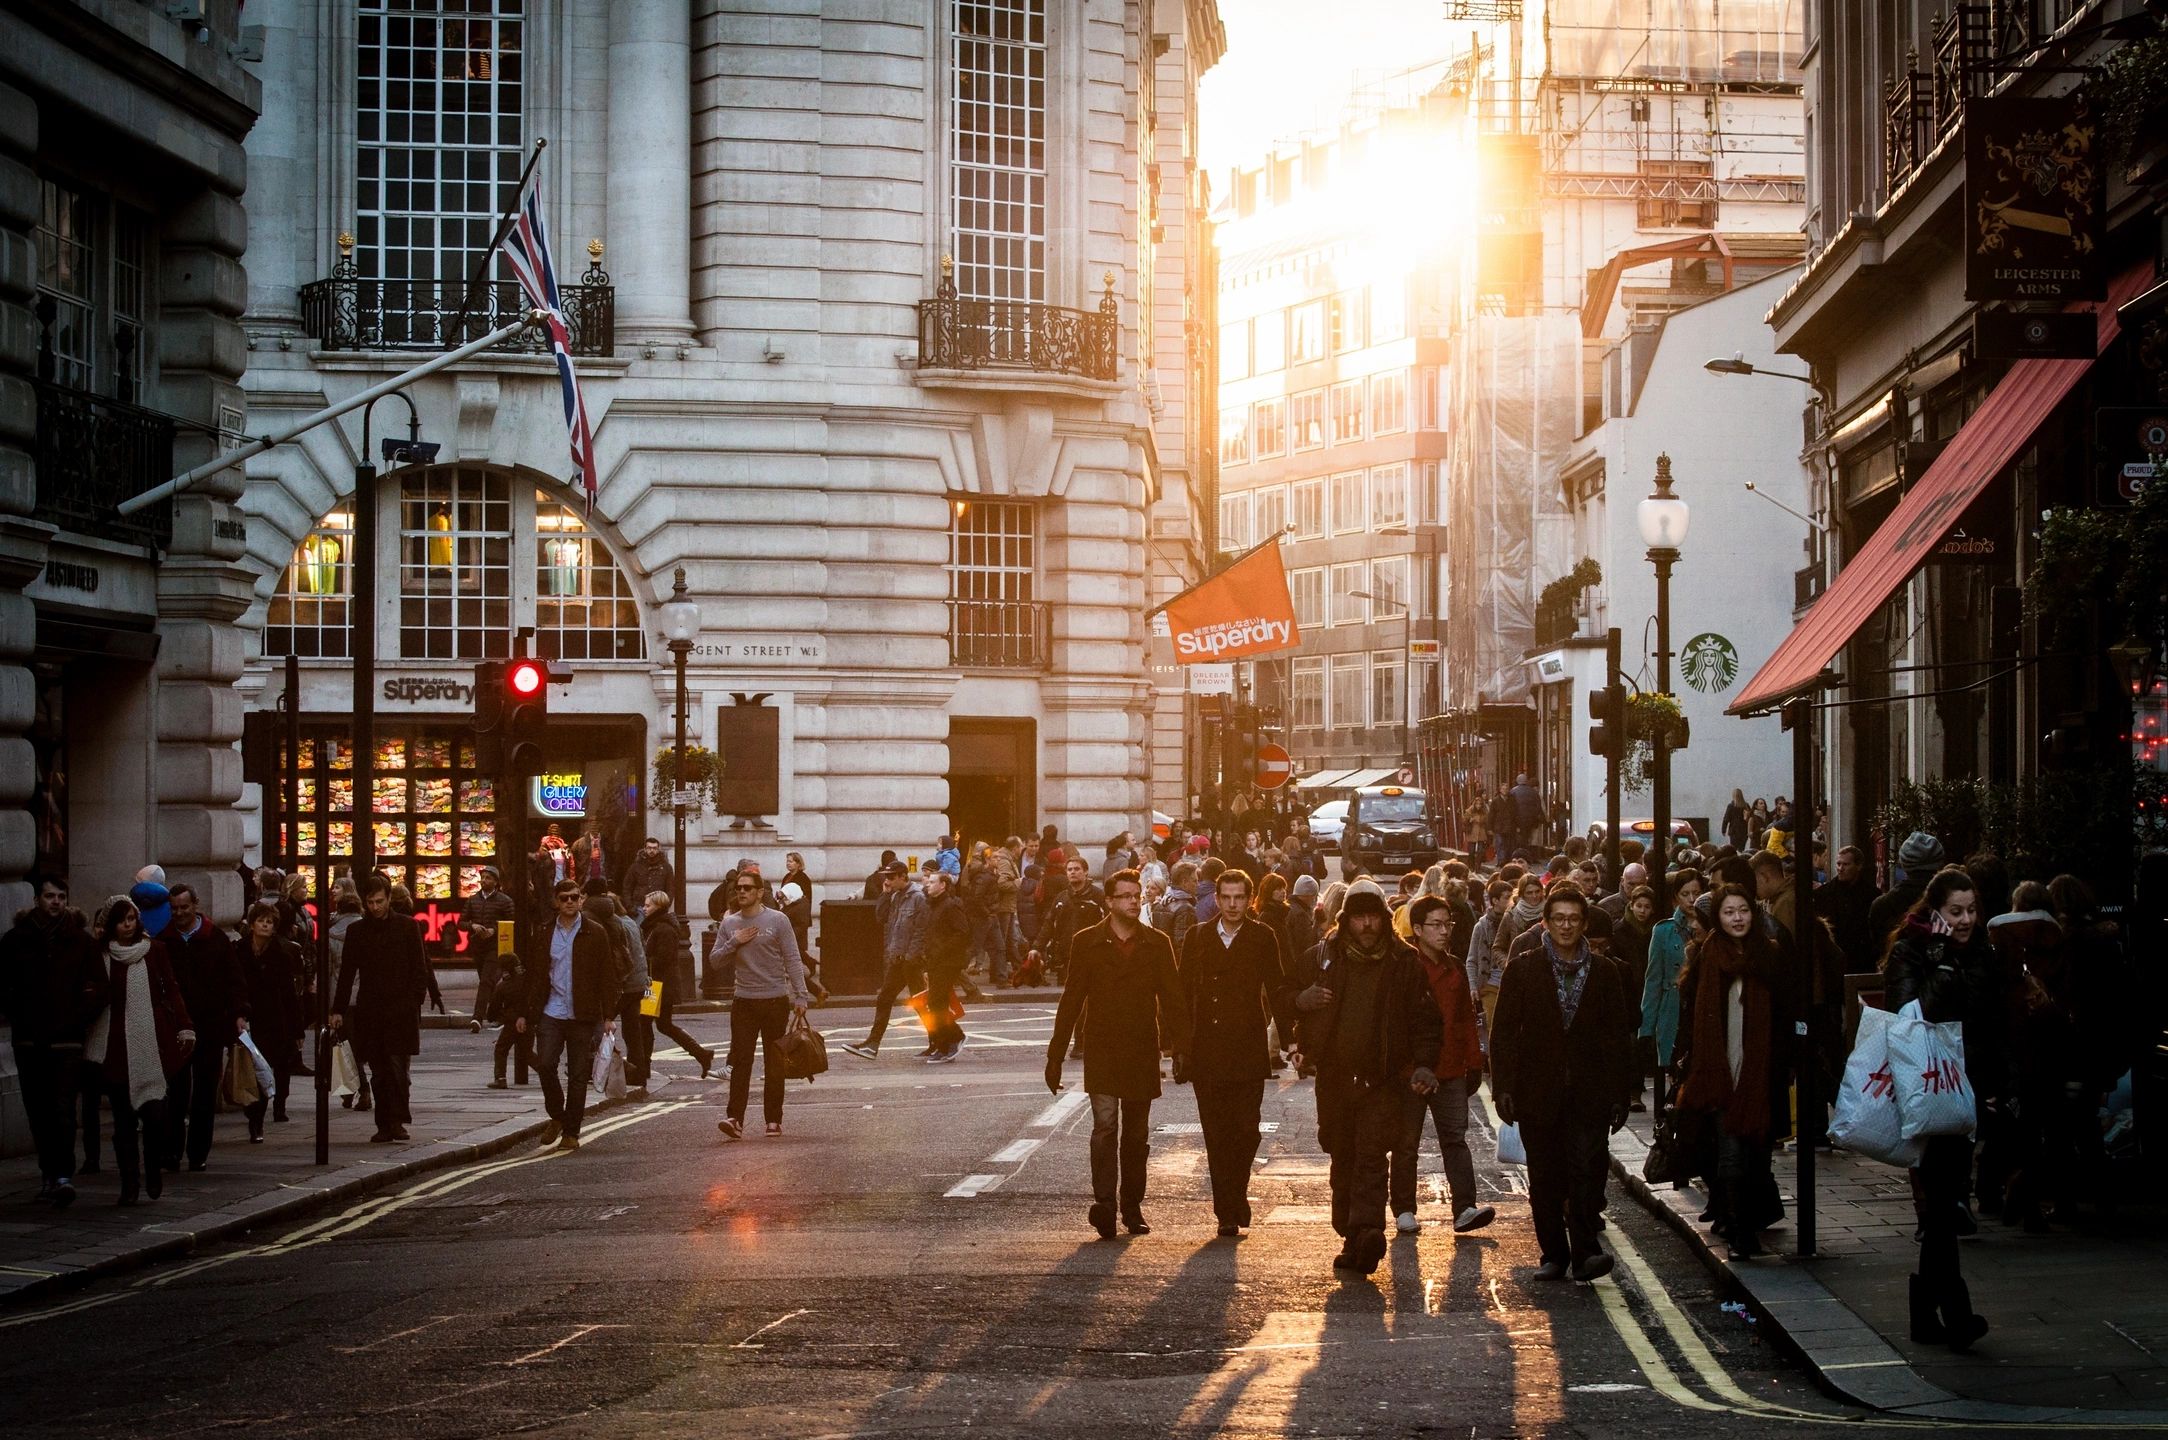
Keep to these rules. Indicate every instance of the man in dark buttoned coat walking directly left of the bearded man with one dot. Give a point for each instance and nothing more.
(1237, 983)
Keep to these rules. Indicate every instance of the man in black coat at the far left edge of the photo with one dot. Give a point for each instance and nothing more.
(53, 986)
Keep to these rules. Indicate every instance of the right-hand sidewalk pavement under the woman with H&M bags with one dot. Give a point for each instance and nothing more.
(2080, 1317)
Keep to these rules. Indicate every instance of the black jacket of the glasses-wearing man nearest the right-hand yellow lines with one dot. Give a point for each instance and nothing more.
(1547, 1072)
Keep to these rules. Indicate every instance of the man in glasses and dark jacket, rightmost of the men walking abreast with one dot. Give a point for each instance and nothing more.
(1562, 1068)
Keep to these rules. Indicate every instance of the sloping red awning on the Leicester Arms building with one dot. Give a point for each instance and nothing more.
(1970, 463)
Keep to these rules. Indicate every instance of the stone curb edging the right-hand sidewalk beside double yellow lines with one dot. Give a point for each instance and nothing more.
(1846, 1357)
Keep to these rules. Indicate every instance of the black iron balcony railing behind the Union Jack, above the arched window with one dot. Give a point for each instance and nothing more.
(354, 313)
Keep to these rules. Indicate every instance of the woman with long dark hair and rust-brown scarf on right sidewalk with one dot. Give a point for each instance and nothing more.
(1735, 1075)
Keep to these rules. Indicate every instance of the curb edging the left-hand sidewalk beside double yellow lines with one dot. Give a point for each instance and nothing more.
(287, 1203)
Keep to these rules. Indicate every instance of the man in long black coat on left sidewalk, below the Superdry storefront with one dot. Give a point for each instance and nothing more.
(385, 975)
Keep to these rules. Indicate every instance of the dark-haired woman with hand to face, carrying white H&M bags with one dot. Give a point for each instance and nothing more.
(1944, 960)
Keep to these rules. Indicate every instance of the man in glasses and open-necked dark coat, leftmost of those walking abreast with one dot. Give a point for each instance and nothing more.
(1124, 988)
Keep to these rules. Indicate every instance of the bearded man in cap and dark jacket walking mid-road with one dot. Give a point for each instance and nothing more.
(1371, 1029)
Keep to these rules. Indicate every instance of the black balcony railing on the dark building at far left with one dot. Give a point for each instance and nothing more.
(96, 452)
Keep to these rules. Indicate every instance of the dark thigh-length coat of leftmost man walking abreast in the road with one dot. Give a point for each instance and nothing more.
(1131, 999)
